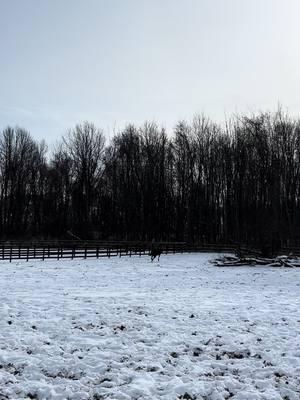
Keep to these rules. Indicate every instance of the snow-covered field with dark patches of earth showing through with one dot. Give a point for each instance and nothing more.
(128, 329)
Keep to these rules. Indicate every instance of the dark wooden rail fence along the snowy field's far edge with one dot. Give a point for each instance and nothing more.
(17, 250)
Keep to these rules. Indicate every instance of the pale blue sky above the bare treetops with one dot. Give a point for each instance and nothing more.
(114, 62)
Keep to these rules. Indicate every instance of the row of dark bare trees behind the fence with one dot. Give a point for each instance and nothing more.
(204, 183)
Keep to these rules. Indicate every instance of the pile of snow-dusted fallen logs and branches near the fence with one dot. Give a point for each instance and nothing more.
(279, 261)
